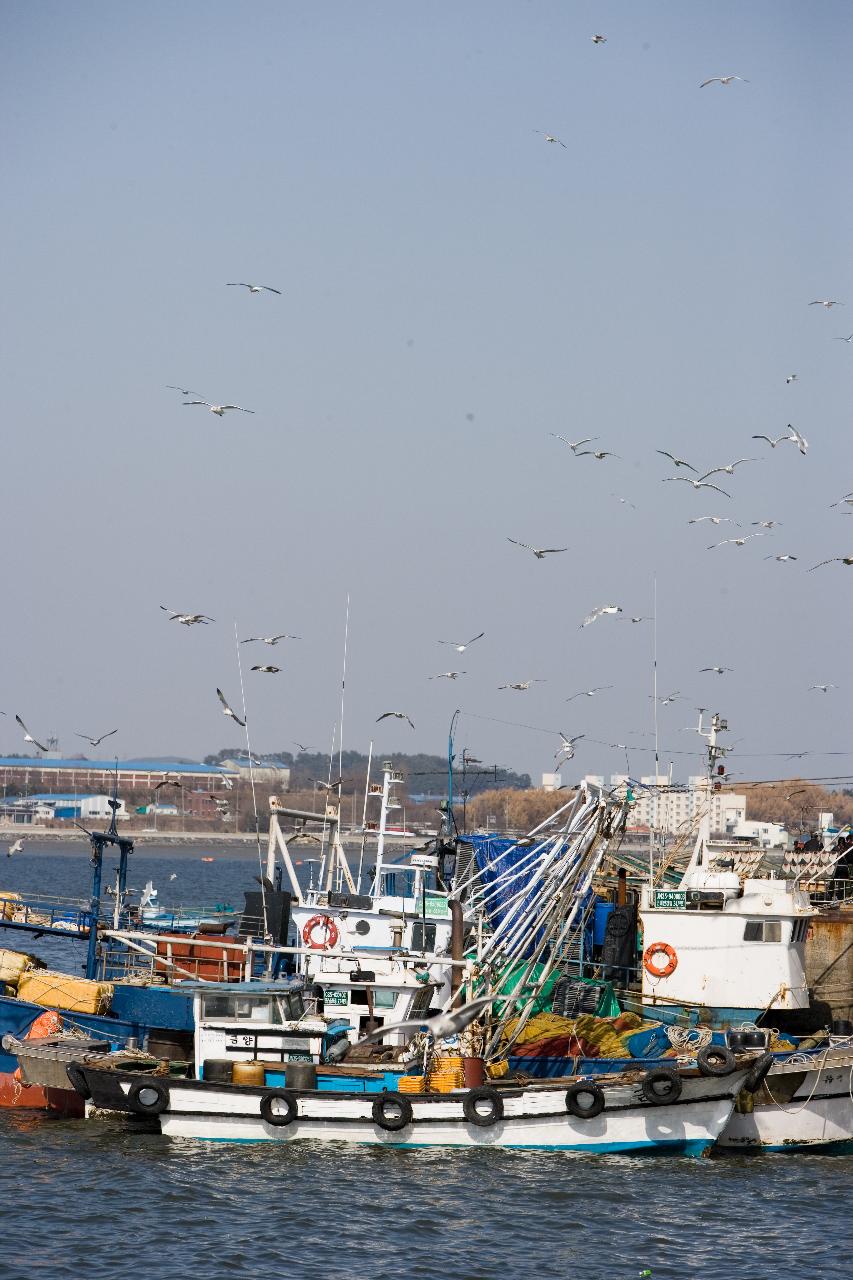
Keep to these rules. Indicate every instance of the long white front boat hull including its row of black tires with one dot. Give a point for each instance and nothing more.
(676, 1112)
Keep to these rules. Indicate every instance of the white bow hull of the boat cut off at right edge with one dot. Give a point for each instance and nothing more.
(806, 1101)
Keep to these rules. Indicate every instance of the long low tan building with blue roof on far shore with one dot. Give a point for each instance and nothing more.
(80, 775)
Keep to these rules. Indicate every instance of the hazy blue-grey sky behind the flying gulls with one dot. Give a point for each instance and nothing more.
(454, 291)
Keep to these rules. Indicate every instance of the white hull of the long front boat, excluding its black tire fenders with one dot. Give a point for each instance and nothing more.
(535, 1117)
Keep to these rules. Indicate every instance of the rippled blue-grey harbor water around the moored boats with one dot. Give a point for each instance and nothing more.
(103, 1200)
